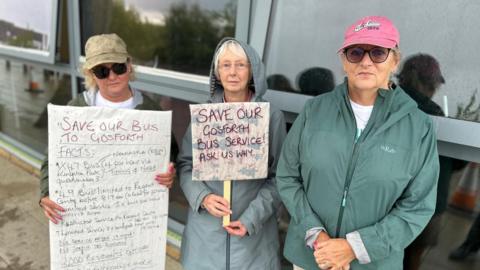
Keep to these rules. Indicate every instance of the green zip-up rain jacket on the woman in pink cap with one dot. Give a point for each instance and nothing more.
(382, 184)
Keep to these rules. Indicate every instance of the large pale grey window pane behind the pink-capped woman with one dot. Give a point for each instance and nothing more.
(302, 57)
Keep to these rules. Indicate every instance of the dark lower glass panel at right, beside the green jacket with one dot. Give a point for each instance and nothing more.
(452, 238)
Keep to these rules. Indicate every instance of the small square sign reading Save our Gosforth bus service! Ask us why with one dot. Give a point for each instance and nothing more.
(230, 141)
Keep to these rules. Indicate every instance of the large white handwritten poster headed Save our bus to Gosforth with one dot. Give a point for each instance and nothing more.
(102, 165)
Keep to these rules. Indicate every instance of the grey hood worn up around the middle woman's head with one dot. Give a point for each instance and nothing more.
(258, 83)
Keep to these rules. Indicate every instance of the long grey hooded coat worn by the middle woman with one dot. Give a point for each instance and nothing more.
(254, 202)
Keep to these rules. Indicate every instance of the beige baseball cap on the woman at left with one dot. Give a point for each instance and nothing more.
(105, 48)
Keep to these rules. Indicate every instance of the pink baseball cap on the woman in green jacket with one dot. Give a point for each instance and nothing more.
(372, 30)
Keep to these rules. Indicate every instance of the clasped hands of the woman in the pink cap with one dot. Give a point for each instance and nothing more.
(332, 253)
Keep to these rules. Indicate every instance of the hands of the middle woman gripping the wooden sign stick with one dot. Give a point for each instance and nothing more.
(217, 206)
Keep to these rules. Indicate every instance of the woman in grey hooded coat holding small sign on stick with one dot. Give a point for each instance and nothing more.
(237, 75)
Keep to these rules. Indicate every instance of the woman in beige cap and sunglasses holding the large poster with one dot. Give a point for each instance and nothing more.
(108, 70)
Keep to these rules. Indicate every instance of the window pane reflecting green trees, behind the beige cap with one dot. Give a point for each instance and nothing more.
(175, 35)
